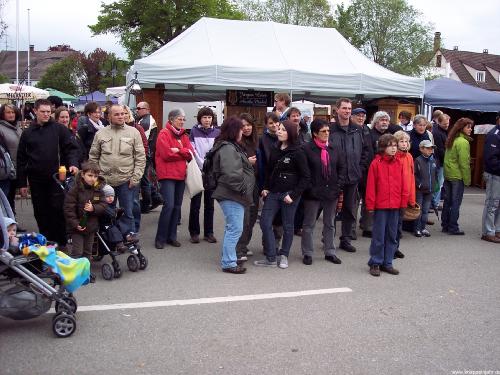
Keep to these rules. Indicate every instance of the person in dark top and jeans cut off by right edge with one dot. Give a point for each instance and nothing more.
(491, 212)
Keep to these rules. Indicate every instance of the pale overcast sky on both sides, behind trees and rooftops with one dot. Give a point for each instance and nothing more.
(470, 25)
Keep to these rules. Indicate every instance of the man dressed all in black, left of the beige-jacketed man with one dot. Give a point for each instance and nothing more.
(43, 147)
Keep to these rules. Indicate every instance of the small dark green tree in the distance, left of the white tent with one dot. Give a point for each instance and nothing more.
(63, 75)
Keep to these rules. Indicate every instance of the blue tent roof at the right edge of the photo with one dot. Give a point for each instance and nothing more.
(448, 93)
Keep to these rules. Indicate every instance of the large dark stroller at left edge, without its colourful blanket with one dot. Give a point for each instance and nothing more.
(28, 287)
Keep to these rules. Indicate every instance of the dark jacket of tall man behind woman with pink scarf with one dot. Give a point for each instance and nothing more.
(349, 142)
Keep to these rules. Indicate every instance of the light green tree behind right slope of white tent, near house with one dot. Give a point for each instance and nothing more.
(390, 32)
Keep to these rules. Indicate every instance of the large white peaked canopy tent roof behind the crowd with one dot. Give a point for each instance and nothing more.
(216, 54)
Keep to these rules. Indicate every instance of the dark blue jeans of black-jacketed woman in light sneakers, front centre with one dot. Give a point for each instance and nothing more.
(272, 204)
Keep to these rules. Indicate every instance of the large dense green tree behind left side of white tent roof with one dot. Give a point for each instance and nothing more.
(144, 26)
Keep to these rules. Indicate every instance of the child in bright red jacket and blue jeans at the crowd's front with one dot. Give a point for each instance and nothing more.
(386, 194)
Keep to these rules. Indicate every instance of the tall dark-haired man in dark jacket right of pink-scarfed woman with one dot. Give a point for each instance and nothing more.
(347, 139)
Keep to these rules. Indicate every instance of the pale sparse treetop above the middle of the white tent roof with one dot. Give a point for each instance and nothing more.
(295, 12)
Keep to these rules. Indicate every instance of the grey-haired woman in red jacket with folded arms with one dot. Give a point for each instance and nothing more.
(173, 151)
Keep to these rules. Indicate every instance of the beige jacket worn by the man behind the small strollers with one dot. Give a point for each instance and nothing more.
(119, 152)
